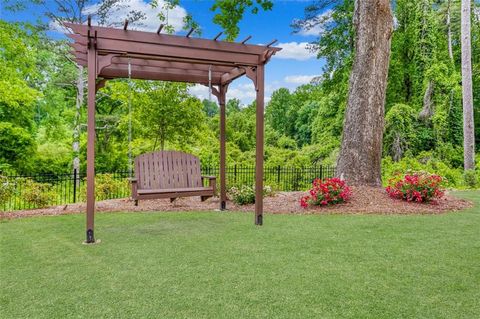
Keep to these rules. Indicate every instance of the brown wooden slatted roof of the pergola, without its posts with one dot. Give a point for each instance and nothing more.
(157, 56)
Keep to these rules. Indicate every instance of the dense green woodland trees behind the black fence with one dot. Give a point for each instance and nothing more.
(423, 122)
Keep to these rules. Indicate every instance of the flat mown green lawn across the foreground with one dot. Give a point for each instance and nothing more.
(219, 265)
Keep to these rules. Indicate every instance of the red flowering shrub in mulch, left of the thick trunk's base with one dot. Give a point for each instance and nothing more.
(326, 192)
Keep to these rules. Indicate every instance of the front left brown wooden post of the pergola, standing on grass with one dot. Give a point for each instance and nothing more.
(92, 78)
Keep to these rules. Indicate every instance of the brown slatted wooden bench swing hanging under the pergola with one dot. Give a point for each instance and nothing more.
(170, 174)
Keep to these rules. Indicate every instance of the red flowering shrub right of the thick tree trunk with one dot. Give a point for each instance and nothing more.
(416, 187)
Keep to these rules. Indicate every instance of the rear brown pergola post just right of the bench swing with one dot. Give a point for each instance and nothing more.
(223, 177)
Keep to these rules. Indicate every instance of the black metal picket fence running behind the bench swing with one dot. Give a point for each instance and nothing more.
(34, 191)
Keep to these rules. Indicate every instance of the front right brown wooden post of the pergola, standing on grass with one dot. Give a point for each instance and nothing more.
(260, 86)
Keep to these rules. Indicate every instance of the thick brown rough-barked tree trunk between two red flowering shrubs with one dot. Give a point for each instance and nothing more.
(361, 151)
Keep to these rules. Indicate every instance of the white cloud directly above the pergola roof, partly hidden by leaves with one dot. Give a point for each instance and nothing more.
(120, 12)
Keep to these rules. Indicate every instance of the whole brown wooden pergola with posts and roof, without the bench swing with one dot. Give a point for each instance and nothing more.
(108, 52)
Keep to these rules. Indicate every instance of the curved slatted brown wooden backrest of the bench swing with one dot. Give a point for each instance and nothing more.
(167, 170)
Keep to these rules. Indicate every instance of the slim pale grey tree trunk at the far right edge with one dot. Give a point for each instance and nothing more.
(468, 126)
